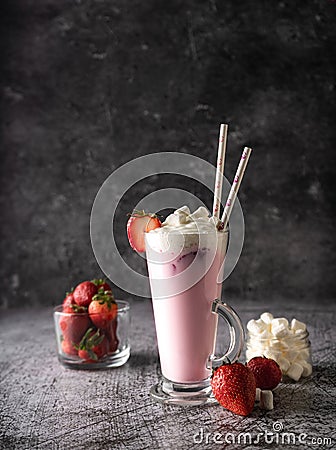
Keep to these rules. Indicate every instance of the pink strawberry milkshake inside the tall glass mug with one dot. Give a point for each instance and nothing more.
(184, 282)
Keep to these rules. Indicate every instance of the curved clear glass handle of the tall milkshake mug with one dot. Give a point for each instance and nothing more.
(236, 334)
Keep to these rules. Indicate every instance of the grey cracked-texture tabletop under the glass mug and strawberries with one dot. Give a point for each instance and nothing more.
(47, 407)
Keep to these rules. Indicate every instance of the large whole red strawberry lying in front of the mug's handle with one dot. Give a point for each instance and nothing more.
(234, 387)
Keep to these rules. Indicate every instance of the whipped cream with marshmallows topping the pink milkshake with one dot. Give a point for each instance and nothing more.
(182, 229)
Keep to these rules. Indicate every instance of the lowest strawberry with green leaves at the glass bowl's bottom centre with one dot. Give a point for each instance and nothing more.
(93, 346)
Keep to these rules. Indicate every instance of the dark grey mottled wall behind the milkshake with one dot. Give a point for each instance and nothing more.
(89, 85)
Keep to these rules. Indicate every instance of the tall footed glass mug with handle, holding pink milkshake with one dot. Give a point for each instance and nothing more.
(185, 272)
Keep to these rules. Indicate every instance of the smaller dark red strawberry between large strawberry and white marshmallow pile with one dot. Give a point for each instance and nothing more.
(266, 372)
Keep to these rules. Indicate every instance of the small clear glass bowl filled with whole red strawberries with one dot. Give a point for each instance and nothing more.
(92, 327)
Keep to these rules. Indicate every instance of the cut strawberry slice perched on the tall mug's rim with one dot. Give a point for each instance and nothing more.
(138, 224)
